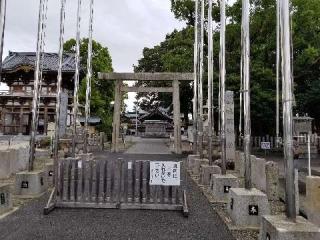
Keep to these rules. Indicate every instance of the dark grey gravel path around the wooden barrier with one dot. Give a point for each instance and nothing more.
(203, 223)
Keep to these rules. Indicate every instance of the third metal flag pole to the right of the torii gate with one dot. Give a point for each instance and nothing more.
(210, 80)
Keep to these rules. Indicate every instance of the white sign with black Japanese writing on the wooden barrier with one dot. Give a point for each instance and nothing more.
(165, 173)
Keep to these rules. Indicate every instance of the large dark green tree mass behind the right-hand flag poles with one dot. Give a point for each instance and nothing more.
(175, 54)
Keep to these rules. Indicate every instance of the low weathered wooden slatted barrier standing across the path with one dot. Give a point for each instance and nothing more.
(117, 184)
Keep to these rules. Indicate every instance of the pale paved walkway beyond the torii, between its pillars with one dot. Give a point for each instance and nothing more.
(149, 146)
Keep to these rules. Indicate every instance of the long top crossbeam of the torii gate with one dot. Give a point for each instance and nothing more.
(147, 76)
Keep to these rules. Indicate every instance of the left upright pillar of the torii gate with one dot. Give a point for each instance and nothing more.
(116, 117)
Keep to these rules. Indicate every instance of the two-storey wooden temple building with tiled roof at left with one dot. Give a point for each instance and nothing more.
(16, 101)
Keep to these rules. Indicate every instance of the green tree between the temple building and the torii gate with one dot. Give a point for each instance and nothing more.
(102, 92)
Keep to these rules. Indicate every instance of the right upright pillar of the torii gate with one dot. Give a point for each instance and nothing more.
(176, 117)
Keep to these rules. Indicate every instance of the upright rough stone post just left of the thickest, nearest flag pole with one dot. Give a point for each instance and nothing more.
(272, 178)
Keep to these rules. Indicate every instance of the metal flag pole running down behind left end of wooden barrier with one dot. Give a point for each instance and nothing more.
(58, 99)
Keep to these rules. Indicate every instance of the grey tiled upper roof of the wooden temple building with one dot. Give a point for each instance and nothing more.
(50, 62)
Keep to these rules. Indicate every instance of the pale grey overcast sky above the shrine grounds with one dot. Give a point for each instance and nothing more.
(124, 26)
